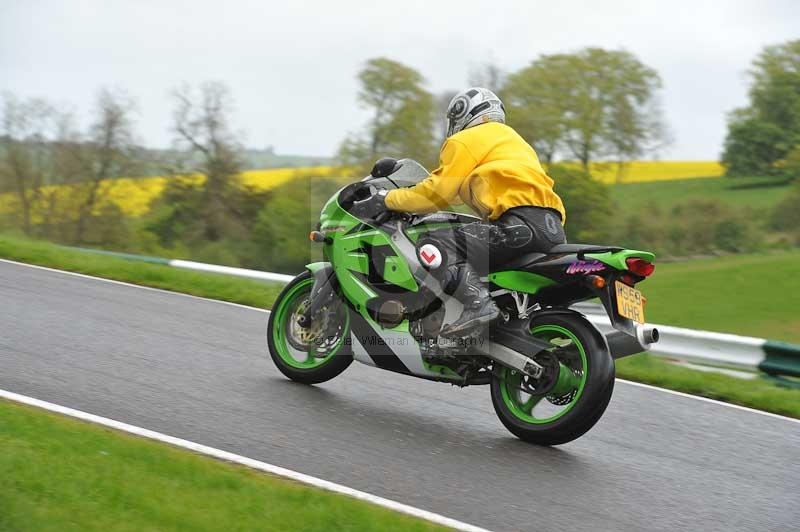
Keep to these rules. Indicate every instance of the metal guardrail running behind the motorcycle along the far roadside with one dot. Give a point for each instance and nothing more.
(711, 349)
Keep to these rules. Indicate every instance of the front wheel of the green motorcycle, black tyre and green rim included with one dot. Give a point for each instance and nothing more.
(314, 354)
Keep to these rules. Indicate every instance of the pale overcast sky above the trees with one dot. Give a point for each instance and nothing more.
(291, 65)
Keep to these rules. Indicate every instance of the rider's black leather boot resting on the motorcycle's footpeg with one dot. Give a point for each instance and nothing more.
(479, 308)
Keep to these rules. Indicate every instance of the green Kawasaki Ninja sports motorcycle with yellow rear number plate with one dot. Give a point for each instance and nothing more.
(375, 300)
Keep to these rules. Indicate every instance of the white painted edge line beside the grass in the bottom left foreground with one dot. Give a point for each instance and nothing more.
(242, 460)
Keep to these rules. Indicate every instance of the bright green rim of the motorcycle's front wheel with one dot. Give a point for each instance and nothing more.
(283, 313)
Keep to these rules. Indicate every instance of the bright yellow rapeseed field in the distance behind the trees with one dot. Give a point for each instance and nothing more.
(135, 195)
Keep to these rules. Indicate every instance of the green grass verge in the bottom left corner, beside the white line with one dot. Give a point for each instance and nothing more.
(63, 474)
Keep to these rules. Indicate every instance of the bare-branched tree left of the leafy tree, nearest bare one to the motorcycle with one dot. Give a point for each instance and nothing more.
(204, 136)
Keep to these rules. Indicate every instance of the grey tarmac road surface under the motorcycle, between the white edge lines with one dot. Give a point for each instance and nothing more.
(199, 370)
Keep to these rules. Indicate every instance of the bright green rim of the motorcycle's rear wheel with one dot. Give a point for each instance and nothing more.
(523, 407)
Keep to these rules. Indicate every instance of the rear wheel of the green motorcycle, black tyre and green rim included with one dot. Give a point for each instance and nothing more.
(578, 392)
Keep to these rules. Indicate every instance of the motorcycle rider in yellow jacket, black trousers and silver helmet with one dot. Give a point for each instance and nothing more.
(486, 165)
